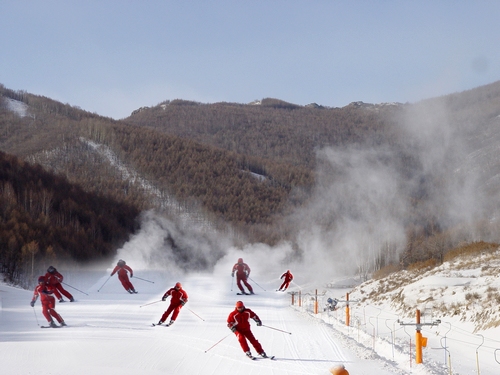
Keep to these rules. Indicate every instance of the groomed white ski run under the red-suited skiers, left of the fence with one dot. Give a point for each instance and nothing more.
(110, 333)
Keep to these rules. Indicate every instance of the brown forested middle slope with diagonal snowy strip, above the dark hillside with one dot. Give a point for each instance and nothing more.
(222, 183)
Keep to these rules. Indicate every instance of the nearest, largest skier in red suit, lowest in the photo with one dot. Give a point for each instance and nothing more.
(238, 322)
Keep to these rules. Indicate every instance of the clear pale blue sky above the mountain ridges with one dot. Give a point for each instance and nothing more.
(111, 57)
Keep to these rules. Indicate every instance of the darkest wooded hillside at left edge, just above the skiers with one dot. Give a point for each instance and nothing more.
(44, 217)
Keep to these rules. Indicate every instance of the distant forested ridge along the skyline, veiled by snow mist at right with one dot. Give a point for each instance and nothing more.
(441, 153)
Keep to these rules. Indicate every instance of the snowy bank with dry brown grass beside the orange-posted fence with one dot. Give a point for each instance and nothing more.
(458, 302)
